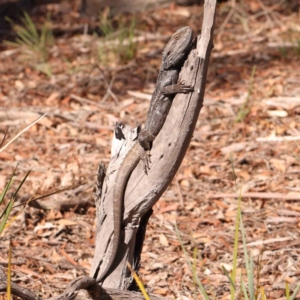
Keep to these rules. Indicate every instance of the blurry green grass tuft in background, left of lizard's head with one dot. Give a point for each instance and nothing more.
(118, 43)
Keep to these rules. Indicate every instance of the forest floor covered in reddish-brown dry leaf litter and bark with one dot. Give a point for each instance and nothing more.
(250, 123)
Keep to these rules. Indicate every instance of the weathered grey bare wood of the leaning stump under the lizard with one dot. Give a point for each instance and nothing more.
(168, 151)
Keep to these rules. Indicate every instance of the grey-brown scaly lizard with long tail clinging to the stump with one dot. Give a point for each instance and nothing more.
(167, 87)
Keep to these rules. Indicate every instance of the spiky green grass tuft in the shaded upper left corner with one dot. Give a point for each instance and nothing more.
(33, 40)
